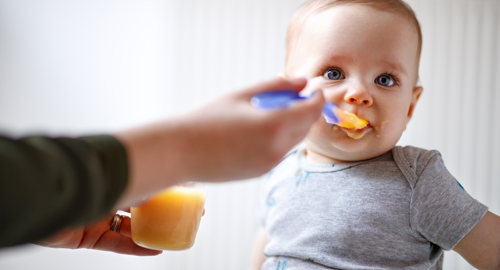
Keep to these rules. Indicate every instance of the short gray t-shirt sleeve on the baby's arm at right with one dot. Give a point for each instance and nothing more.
(441, 210)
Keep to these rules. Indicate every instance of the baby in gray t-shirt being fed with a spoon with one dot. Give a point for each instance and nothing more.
(349, 198)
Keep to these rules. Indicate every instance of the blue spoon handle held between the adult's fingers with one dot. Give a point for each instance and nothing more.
(282, 99)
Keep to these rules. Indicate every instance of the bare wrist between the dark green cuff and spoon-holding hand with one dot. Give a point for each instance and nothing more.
(155, 154)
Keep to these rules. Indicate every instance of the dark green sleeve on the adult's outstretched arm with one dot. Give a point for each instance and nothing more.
(47, 184)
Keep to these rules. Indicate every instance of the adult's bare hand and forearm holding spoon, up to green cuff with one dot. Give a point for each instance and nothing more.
(227, 139)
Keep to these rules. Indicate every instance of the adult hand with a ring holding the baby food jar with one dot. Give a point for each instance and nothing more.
(98, 236)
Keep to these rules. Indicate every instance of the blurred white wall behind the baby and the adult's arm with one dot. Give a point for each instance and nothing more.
(72, 68)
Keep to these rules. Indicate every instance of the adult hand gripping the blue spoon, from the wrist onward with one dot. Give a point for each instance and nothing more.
(230, 139)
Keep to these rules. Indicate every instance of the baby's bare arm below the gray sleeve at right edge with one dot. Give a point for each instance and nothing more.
(481, 246)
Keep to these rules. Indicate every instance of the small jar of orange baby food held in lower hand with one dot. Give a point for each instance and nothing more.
(170, 220)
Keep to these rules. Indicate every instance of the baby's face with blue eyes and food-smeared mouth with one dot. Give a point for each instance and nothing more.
(365, 61)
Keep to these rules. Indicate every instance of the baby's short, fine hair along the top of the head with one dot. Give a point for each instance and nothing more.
(314, 6)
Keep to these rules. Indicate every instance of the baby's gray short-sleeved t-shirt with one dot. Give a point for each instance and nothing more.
(396, 211)
